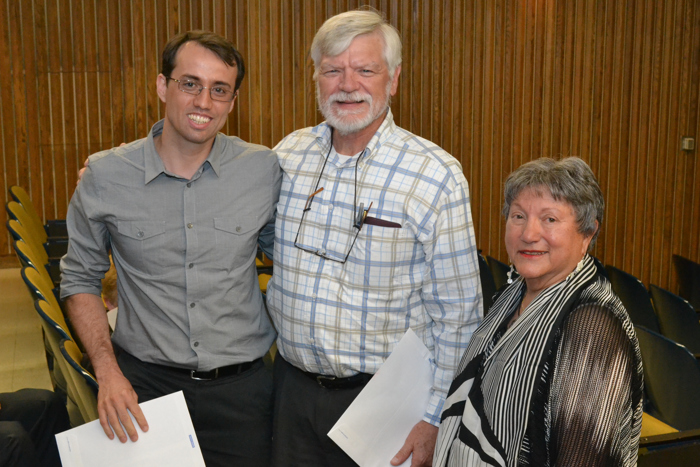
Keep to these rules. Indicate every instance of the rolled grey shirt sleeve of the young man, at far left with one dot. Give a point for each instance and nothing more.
(87, 260)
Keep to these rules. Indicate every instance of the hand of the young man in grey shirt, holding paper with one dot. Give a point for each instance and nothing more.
(115, 399)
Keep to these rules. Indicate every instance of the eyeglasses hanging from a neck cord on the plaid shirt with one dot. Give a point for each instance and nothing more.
(358, 220)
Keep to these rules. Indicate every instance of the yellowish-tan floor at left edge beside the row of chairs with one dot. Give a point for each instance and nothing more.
(23, 361)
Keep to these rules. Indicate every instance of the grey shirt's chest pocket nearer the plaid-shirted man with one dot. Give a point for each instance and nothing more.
(236, 239)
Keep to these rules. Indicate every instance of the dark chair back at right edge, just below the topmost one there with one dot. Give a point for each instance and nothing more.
(677, 319)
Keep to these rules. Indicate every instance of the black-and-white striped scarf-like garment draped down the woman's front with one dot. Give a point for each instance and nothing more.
(487, 427)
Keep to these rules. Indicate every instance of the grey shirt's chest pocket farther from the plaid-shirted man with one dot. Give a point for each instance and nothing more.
(143, 243)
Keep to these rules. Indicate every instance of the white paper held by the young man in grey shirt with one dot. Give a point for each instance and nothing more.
(170, 440)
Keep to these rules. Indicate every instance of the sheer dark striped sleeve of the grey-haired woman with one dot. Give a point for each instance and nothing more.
(590, 395)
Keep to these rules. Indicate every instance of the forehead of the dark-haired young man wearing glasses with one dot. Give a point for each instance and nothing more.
(196, 61)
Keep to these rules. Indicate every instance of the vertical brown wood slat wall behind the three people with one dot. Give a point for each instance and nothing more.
(495, 82)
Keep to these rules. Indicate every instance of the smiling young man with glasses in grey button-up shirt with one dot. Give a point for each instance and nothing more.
(181, 211)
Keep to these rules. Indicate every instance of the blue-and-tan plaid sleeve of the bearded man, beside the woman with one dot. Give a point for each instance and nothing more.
(451, 291)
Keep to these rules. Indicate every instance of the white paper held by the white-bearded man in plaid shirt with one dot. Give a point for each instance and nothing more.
(377, 423)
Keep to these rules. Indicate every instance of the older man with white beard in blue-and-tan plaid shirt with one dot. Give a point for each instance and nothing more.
(373, 236)
